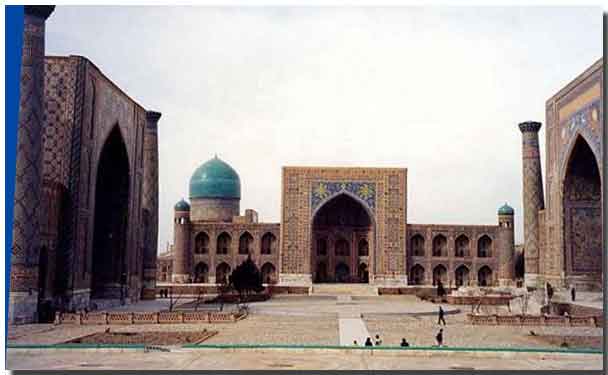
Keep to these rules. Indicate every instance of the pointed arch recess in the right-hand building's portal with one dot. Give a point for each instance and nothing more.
(582, 214)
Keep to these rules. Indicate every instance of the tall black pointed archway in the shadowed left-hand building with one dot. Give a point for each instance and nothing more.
(109, 269)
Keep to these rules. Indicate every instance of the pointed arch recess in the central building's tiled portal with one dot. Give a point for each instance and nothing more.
(343, 240)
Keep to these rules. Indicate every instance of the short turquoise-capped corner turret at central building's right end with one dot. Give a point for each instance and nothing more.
(506, 246)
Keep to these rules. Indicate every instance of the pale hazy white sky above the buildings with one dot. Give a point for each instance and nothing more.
(439, 91)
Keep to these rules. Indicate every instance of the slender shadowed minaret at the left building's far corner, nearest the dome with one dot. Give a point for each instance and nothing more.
(150, 203)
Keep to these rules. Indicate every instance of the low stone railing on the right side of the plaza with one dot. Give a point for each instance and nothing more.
(536, 320)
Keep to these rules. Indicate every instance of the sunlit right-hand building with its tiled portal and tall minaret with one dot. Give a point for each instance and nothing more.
(563, 220)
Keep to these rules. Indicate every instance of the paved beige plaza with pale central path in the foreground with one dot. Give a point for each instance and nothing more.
(321, 321)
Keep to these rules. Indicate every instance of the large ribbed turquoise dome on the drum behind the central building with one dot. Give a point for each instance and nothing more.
(215, 179)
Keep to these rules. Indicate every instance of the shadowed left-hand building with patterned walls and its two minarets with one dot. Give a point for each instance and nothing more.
(86, 191)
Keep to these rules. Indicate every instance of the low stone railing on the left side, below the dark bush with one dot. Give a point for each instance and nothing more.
(172, 317)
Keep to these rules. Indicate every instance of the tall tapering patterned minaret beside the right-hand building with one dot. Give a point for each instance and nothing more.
(533, 198)
